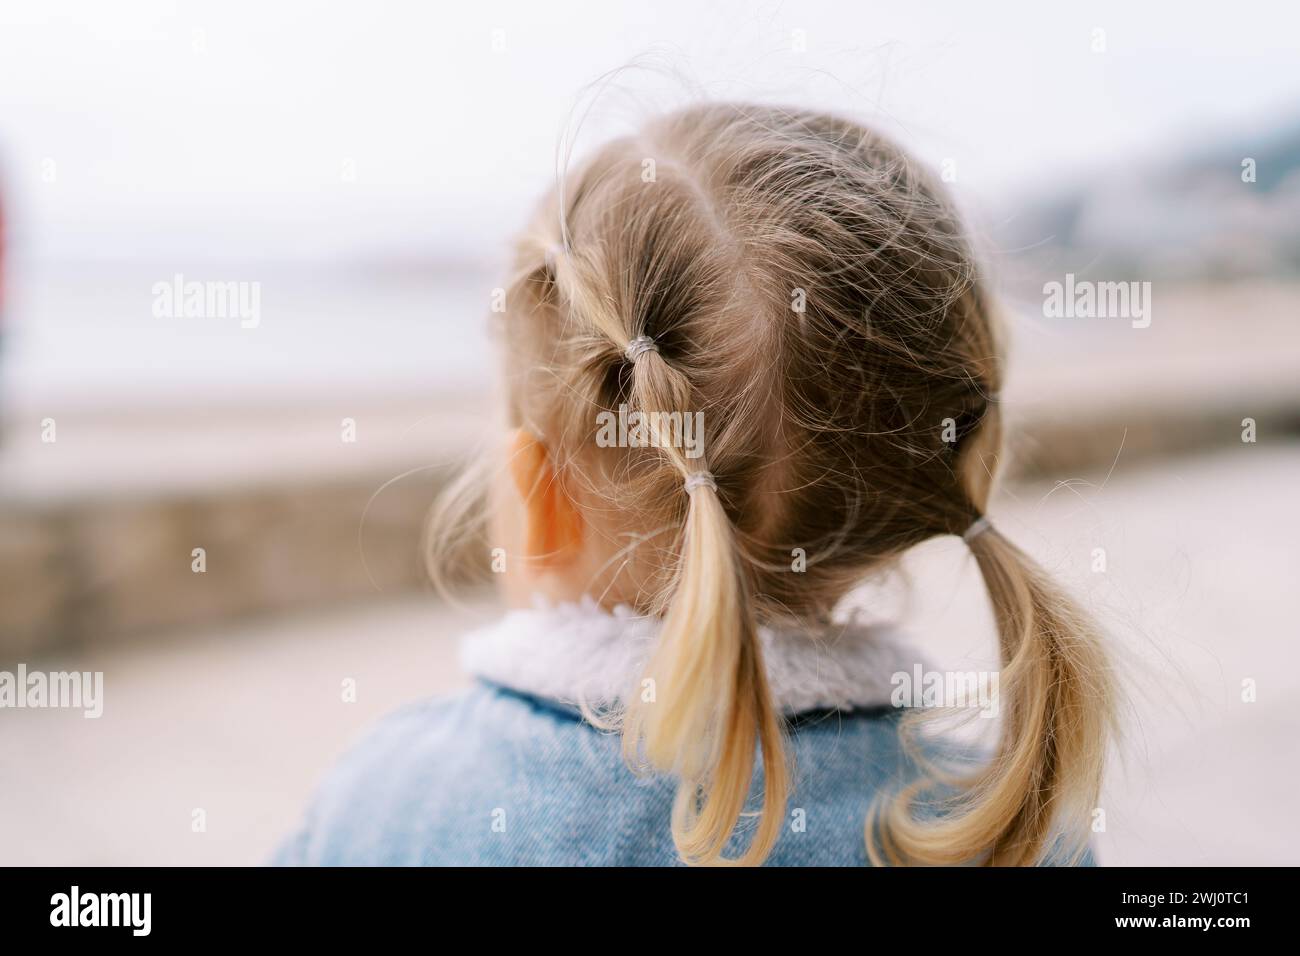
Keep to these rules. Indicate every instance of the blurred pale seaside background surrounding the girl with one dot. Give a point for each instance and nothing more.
(362, 168)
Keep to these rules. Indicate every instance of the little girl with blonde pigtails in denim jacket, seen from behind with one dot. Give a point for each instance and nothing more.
(675, 684)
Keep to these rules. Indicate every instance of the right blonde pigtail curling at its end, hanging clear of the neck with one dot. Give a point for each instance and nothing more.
(1056, 699)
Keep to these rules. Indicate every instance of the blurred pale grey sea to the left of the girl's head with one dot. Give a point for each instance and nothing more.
(88, 335)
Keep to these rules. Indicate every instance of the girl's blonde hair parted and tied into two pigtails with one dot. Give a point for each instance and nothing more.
(812, 292)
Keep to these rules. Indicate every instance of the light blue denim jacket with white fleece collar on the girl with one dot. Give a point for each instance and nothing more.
(510, 773)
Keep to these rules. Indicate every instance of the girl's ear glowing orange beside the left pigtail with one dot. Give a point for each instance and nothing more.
(553, 527)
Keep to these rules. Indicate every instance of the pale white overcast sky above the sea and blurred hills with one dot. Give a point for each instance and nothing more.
(296, 131)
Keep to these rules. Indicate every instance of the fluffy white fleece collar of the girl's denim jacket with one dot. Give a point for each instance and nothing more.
(579, 654)
